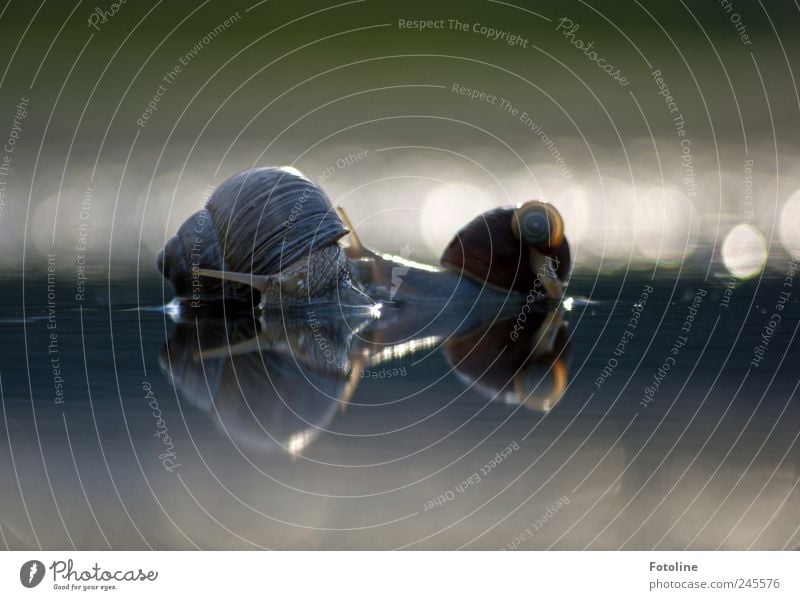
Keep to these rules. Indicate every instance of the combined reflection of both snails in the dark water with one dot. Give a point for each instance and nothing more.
(275, 384)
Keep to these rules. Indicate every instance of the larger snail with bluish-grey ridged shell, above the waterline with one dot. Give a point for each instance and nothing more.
(266, 229)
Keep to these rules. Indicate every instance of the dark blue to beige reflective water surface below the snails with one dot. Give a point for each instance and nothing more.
(620, 423)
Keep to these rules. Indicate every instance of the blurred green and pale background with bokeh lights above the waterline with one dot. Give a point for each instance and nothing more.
(317, 84)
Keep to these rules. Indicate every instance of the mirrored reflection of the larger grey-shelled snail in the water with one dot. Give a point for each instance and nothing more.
(267, 384)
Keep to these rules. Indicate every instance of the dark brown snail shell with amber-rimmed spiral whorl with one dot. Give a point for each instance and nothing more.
(511, 247)
